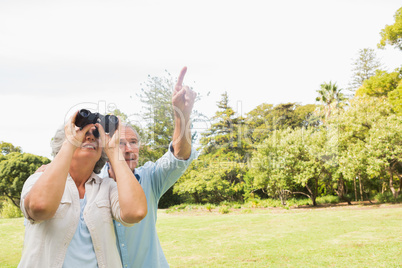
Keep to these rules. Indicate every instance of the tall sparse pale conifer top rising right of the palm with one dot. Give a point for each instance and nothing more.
(364, 67)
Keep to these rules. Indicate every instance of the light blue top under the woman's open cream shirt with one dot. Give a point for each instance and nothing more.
(80, 252)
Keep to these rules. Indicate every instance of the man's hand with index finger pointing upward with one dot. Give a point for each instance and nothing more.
(183, 98)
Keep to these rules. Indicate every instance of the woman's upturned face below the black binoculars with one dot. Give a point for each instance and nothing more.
(90, 147)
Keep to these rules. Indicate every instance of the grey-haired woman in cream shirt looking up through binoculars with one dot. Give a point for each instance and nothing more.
(70, 209)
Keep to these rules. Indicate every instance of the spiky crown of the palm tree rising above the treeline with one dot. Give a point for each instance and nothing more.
(331, 97)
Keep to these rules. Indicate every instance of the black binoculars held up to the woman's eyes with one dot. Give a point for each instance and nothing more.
(109, 122)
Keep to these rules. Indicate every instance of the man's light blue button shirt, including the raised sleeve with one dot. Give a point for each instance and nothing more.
(139, 245)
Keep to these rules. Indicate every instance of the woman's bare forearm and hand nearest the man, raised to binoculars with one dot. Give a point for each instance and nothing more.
(132, 200)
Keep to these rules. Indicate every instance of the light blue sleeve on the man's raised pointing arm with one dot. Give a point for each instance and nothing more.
(167, 170)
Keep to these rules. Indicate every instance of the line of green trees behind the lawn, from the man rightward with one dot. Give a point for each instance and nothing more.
(347, 144)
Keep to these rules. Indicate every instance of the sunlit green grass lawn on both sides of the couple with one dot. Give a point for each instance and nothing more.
(353, 236)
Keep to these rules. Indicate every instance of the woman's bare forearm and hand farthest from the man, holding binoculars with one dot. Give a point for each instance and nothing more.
(44, 198)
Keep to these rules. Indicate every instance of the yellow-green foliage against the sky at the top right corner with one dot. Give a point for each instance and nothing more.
(392, 34)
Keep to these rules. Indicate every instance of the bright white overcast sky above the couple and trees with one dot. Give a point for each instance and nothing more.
(59, 56)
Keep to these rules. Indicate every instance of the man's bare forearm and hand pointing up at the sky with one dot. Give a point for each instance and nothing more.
(183, 101)
